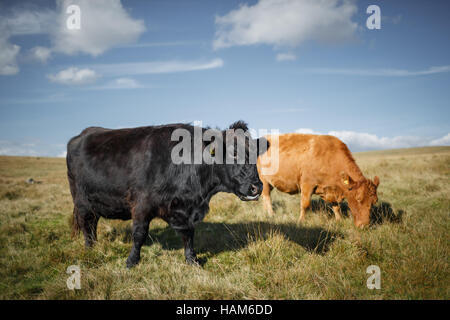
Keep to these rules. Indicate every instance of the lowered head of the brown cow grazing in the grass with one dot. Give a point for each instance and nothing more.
(361, 196)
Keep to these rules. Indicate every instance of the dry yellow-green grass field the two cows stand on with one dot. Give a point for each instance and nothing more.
(245, 253)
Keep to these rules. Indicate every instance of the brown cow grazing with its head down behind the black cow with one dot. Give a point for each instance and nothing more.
(322, 165)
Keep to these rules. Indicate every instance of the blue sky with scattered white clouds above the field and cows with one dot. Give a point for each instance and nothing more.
(300, 65)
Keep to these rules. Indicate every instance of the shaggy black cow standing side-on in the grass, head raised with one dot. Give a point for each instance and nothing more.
(129, 174)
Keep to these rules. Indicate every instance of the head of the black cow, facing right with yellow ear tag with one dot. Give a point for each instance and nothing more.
(240, 174)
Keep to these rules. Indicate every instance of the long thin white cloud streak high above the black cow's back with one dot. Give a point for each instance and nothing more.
(121, 69)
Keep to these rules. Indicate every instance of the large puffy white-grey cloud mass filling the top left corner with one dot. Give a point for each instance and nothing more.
(105, 24)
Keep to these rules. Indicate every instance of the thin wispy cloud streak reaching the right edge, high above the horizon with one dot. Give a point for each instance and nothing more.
(380, 72)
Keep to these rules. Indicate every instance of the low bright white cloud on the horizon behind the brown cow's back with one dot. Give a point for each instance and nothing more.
(361, 141)
